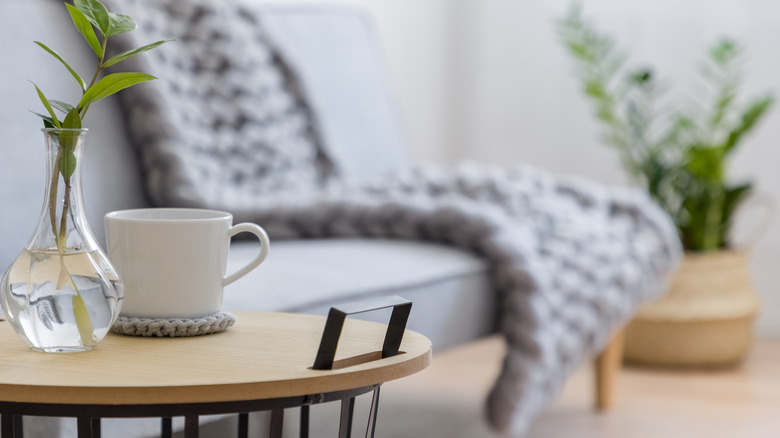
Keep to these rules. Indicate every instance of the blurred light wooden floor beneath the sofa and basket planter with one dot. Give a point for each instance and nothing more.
(446, 400)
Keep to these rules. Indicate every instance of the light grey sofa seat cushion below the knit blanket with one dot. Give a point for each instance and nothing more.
(453, 300)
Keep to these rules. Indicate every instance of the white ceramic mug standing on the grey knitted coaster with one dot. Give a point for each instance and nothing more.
(173, 260)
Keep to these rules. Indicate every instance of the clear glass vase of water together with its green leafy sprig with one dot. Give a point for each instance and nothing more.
(61, 294)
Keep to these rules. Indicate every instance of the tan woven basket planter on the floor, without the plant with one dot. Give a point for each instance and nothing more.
(705, 319)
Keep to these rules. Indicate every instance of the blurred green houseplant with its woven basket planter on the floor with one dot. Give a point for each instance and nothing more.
(680, 157)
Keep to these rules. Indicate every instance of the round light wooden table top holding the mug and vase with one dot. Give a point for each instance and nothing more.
(263, 356)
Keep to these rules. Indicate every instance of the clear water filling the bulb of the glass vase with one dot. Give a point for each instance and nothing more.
(60, 303)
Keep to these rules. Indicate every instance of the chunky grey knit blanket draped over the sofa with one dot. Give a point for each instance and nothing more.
(227, 126)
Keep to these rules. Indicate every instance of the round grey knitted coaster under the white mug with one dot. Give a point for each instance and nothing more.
(174, 327)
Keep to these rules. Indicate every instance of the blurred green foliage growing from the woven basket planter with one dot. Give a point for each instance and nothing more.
(681, 159)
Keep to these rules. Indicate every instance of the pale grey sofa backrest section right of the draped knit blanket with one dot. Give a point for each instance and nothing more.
(337, 55)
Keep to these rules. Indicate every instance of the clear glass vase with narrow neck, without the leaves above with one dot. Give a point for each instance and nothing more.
(62, 294)
